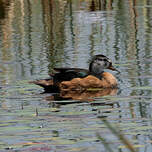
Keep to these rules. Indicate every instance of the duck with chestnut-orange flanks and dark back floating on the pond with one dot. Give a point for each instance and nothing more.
(65, 79)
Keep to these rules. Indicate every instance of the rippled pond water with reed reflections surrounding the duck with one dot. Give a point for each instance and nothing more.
(36, 36)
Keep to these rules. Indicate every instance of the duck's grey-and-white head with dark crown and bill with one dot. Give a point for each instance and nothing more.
(99, 63)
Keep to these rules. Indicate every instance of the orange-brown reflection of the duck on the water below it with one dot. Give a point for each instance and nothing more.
(87, 95)
